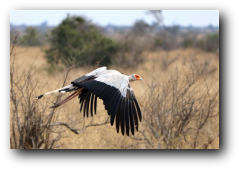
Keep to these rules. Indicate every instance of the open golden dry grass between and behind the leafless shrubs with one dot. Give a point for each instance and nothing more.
(105, 136)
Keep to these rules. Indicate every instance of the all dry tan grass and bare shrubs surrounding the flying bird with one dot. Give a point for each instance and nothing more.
(179, 98)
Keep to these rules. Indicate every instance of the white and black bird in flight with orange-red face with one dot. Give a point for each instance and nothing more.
(114, 89)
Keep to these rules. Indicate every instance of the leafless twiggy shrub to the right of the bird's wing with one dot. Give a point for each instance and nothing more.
(182, 110)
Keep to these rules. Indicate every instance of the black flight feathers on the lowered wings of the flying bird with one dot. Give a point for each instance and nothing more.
(124, 110)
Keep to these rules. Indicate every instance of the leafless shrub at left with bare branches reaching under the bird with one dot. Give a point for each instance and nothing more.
(32, 124)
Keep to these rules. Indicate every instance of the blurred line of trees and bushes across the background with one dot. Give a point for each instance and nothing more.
(89, 44)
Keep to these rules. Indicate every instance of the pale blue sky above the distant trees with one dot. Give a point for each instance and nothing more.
(116, 17)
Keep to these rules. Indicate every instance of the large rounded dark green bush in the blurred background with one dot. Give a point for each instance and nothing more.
(75, 36)
